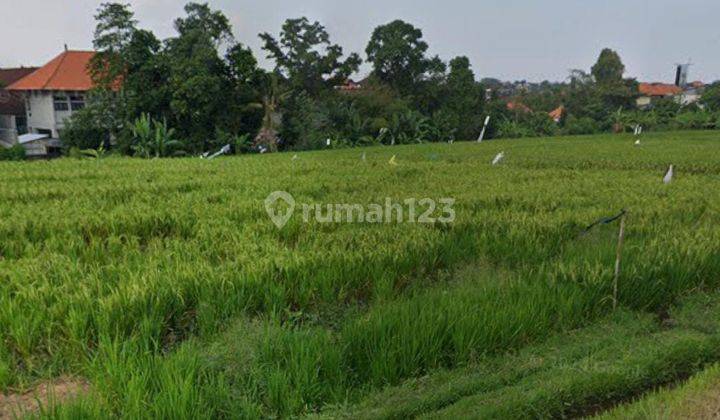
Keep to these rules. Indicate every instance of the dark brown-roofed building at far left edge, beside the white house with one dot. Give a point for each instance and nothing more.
(13, 119)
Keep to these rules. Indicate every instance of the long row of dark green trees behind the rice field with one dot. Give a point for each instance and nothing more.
(202, 89)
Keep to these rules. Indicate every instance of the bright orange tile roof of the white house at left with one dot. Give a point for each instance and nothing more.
(68, 71)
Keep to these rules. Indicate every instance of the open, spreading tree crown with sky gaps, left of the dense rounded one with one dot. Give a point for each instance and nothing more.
(307, 58)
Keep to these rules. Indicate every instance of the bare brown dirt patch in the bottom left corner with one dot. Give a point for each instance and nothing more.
(59, 390)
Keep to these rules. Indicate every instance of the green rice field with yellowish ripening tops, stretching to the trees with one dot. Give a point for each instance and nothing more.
(167, 288)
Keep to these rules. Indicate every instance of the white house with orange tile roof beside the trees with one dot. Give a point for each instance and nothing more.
(51, 94)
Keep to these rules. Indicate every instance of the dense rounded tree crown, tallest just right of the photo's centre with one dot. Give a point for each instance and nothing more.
(397, 53)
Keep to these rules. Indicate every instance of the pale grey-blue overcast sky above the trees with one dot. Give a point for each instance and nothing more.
(509, 39)
